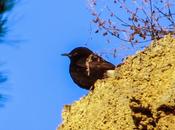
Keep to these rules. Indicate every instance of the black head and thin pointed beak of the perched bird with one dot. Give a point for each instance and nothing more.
(78, 53)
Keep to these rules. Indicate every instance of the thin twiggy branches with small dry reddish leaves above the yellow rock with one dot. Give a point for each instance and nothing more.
(143, 21)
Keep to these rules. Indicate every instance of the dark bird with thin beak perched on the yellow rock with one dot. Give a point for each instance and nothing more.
(87, 67)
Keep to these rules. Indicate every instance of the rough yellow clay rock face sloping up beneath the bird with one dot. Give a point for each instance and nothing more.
(140, 96)
